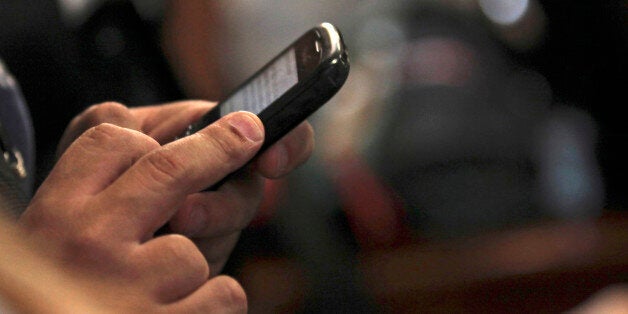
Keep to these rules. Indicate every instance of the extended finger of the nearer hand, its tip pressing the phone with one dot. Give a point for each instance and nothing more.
(154, 187)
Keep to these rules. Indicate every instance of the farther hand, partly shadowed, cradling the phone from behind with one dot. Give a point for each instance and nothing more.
(213, 219)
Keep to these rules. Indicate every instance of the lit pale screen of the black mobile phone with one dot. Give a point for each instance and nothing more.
(276, 79)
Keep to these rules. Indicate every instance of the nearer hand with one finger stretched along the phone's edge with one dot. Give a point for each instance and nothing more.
(114, 187)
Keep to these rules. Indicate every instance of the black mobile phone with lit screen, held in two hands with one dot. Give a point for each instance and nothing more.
(288, 89)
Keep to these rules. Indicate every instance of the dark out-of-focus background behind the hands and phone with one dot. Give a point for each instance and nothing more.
(473, 161)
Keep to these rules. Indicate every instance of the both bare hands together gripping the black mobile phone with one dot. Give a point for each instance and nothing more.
(120, 177)
